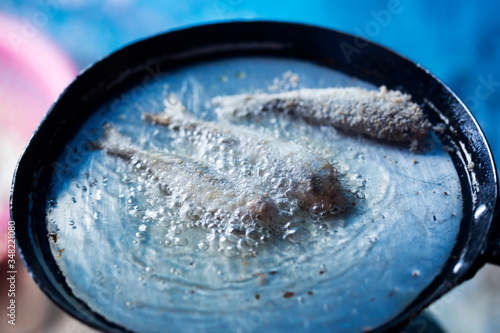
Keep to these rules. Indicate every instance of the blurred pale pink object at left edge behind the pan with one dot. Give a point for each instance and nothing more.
(34, 71)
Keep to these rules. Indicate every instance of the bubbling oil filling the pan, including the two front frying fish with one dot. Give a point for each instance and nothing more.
(148, 257)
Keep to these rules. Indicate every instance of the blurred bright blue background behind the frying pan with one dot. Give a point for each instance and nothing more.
(458, 41)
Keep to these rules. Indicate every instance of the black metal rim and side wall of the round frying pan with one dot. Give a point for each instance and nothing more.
(478, 240)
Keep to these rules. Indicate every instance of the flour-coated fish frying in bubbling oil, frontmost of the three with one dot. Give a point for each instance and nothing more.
(196, 183)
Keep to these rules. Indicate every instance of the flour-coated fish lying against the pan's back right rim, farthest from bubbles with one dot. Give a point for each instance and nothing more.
(381, 114)
